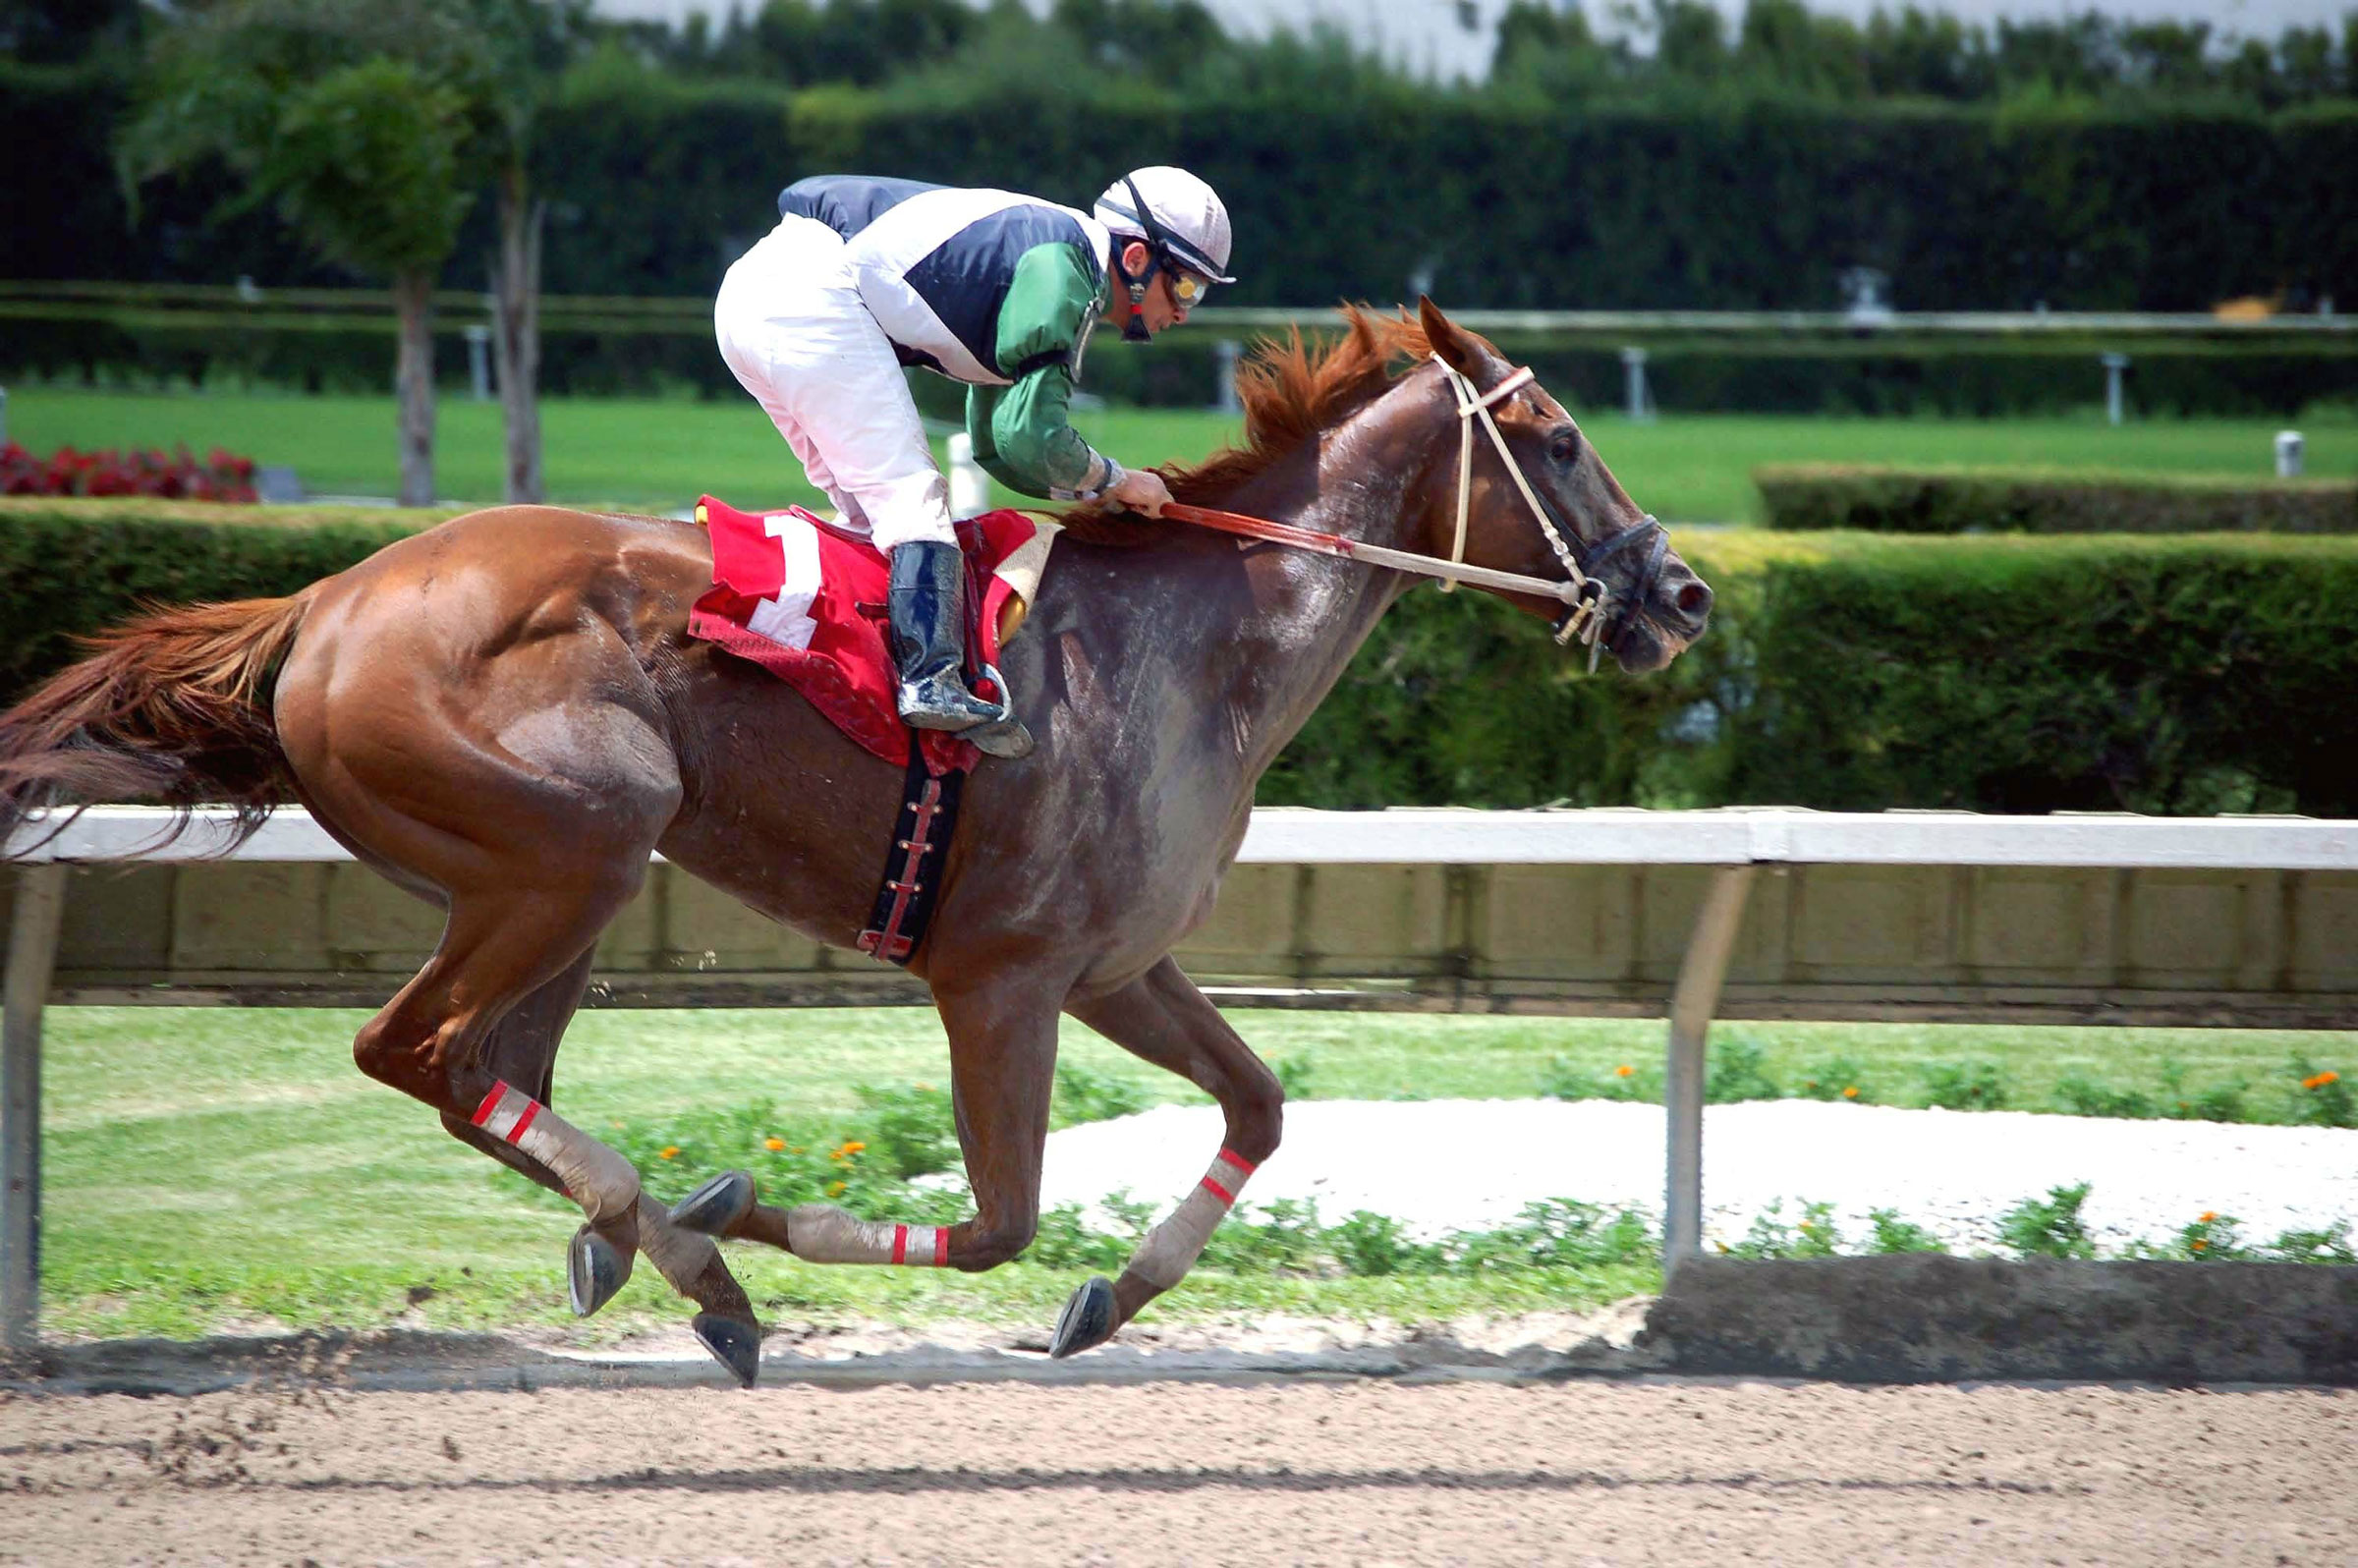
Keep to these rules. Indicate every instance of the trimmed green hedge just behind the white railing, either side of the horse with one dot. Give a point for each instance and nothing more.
(1843, 671)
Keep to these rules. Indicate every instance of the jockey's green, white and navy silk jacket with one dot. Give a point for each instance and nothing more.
(992, 289)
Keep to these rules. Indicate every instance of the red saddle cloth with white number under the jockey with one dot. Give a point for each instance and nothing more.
(805, 600)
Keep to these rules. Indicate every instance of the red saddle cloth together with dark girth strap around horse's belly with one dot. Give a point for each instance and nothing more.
(805, 600)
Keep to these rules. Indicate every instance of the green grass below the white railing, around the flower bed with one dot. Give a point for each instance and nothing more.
(225, 1168)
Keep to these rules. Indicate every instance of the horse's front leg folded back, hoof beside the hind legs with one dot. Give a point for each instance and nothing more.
(1003, 1069)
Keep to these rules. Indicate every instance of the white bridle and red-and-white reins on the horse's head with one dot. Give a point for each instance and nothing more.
(1583, 598)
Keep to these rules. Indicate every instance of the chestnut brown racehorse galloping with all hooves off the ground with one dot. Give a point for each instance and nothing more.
(506, 718)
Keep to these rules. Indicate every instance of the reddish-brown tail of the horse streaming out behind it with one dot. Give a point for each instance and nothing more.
(173, 706)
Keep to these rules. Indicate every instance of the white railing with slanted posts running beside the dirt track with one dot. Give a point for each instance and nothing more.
(1734, 841)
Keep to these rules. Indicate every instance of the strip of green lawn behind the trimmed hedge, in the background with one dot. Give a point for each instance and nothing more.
(664, 454)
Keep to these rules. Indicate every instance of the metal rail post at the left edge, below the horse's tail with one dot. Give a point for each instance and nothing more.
(32, 956)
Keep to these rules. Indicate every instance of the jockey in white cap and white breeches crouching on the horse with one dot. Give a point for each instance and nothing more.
(996, 291)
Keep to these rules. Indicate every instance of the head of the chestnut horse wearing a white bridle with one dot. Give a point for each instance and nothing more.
(1567, 518)
